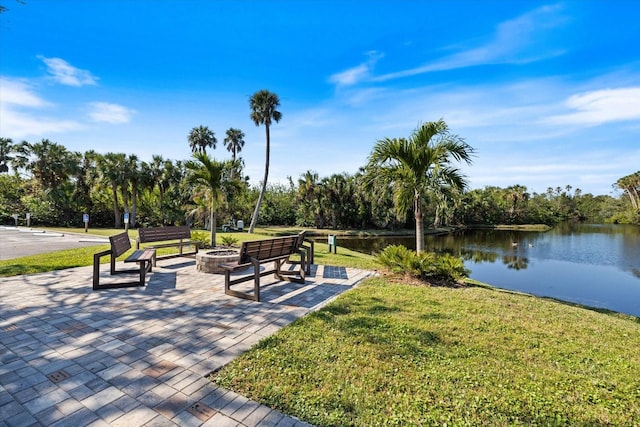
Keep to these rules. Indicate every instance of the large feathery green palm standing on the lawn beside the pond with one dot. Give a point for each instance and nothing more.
(417, 165)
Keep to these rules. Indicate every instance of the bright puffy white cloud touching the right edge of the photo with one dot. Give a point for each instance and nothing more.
(601, 106)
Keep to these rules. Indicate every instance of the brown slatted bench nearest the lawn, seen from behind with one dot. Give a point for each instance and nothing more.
(254, 253)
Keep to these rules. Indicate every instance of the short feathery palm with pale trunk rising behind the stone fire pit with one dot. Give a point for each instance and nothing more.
(208, 173)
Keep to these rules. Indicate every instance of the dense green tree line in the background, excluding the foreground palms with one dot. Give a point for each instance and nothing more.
(56, 186)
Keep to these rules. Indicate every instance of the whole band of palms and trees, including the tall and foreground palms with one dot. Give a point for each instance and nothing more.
(407, 182)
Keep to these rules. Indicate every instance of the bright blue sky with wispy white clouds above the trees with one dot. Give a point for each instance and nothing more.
(548, 94)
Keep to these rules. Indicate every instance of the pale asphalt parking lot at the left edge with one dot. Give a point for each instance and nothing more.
(21, 241)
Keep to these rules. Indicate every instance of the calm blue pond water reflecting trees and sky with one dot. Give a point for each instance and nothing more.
(592, 264)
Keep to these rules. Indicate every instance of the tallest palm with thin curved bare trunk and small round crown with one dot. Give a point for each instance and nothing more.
(263, 106)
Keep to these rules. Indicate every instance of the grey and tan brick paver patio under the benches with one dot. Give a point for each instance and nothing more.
(70, 356)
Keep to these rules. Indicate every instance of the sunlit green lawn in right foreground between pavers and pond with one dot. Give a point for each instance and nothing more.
(396, 354)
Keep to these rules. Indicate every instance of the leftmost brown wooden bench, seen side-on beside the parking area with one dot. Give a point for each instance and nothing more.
(120, 244)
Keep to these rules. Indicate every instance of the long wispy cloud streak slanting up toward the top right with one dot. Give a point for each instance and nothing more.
(516, 41)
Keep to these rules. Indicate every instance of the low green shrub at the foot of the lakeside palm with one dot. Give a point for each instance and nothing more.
(426, 265)
